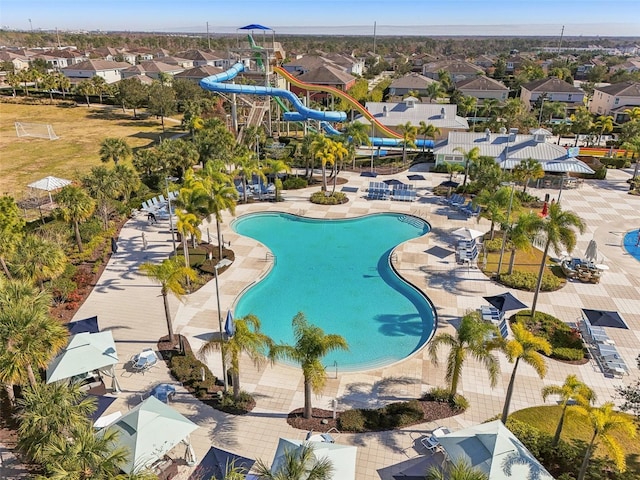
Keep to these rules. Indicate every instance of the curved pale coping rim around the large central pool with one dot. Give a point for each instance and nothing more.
(264, 274)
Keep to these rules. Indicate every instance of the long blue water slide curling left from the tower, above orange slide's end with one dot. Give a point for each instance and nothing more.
(214, 83)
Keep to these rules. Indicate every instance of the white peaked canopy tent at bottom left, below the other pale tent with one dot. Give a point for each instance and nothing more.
(149, 431)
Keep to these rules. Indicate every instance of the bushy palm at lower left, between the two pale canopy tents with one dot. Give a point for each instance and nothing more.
(48, 411)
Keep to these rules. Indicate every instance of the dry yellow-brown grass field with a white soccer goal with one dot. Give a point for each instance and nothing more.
(81, 130)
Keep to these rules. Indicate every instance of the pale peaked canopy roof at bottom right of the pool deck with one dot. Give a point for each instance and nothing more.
(492, 448)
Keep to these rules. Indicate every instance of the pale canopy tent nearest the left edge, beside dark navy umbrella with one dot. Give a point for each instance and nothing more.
(86, 352)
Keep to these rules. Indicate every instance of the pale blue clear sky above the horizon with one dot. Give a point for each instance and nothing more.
(348, 17)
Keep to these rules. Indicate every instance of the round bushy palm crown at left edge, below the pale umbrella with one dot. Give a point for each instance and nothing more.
(38, 260)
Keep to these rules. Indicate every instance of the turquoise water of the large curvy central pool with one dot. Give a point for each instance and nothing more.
(337, 272)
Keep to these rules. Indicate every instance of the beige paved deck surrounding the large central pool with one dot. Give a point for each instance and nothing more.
(129, 305)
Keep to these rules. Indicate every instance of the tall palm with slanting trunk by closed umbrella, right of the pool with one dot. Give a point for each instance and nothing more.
(557, 228)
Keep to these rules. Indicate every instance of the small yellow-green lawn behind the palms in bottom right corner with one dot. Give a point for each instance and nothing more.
(545, 418)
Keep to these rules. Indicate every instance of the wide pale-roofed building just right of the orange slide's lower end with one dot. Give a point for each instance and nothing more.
(411, 110)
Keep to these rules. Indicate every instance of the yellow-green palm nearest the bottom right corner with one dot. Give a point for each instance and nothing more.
(605, 421)
